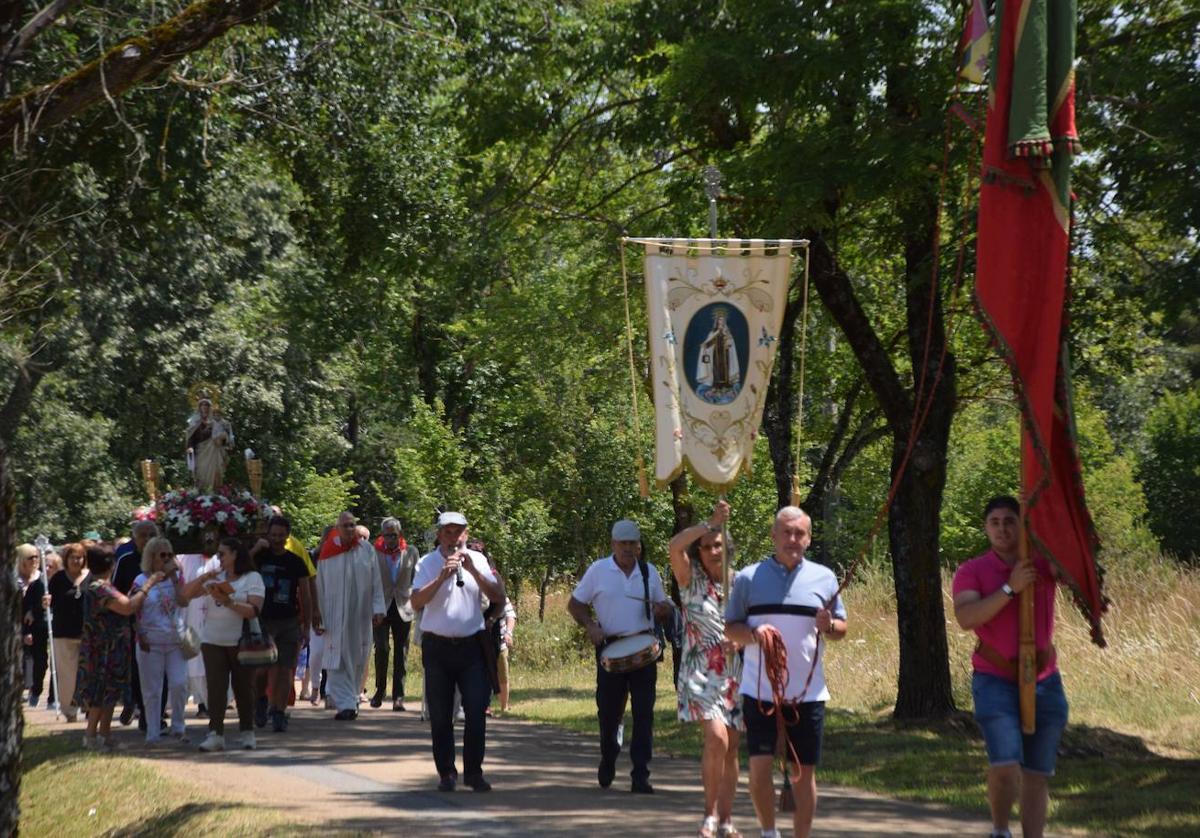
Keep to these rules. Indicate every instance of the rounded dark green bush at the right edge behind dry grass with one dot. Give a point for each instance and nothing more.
(1172, 471)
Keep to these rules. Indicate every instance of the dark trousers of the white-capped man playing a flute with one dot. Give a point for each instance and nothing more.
(452, 663)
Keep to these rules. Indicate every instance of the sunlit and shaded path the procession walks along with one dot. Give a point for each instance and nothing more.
(376, 775)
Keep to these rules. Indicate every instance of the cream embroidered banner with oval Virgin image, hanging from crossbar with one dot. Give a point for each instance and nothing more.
(716, 308)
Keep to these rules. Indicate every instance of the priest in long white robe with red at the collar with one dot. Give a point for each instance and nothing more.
(351, 595)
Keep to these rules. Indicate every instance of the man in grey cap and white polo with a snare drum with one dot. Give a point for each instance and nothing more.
(628, 597)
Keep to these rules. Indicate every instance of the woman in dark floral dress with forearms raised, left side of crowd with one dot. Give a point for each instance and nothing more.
(105, 647)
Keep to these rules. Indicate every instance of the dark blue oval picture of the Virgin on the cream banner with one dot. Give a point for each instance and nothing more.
(716, 350)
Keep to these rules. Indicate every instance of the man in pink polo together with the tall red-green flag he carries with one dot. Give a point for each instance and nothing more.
(1023, 249)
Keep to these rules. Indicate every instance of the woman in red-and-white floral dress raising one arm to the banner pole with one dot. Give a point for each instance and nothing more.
(711, 668)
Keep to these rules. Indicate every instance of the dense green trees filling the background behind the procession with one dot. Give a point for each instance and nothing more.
(391, 234)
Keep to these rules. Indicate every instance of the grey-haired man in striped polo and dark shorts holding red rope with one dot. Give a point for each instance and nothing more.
(800, 598)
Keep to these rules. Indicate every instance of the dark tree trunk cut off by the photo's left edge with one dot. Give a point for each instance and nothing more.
(13, 720)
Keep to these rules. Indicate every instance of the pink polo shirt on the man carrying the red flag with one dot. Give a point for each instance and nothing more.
(987, 574)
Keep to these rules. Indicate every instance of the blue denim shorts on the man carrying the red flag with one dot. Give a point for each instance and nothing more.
(999, 714)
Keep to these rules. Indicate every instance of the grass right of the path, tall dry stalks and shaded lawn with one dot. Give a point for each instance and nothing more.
(1130, 761)
